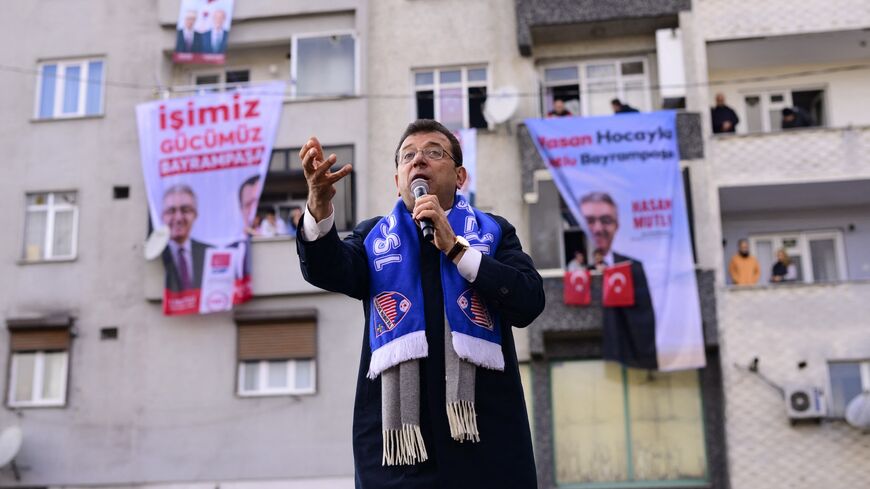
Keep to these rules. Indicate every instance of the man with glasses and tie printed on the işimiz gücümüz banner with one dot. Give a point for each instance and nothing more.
(184, 257)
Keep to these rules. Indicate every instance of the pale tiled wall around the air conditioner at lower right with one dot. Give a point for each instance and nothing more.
(782, 326)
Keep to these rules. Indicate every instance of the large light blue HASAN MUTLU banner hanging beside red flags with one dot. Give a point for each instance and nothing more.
(620, 177)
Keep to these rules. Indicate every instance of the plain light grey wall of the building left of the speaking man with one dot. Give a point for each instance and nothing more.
(158, 405)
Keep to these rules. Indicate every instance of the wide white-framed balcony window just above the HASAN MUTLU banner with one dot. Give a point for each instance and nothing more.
(588, 87)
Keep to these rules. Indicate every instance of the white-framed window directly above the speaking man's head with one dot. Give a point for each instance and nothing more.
(453, 96)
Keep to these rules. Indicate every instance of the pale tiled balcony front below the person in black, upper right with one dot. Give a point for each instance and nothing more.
(794, 156)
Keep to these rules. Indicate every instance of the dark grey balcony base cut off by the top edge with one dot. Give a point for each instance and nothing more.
(553, 21)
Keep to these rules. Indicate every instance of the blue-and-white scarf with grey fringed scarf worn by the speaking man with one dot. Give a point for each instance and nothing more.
(397, 331)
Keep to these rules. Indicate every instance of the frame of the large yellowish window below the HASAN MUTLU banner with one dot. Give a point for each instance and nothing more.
(627, 423)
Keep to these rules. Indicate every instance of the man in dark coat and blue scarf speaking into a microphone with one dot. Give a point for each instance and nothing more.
(438, 401)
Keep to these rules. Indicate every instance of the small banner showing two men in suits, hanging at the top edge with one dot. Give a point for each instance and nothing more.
(202, 31)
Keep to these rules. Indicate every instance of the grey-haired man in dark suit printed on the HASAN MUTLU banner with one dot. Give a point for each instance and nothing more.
(629, 332)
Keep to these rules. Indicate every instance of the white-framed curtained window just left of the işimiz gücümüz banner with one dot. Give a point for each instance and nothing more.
(51, 226)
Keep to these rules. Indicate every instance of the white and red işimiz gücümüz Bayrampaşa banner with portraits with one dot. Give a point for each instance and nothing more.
(205, 159)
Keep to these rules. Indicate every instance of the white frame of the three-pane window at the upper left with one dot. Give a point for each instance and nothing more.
(60, 84)
